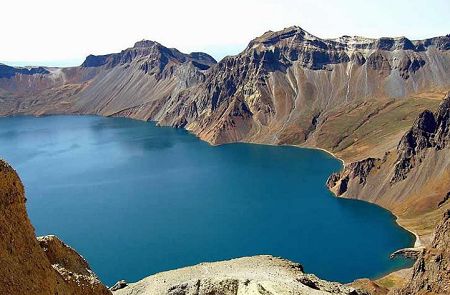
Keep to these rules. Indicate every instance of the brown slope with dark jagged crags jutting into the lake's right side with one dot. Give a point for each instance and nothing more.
(413, 180)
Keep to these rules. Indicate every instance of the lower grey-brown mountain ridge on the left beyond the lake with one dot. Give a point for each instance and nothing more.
(139, 82)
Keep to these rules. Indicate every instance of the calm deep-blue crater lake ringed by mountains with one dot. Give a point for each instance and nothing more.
(135, 199)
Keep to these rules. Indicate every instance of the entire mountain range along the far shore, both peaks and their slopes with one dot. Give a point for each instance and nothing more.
(286, 87)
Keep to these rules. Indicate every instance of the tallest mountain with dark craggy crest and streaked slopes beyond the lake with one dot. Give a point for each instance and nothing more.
(283, 86)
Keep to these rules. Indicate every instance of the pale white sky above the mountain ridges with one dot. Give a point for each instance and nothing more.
(63, 33)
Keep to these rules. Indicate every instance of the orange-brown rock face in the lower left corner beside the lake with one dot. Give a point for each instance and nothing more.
(32, 267)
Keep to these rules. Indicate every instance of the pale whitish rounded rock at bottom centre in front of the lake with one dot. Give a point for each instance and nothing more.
(249, 275)
